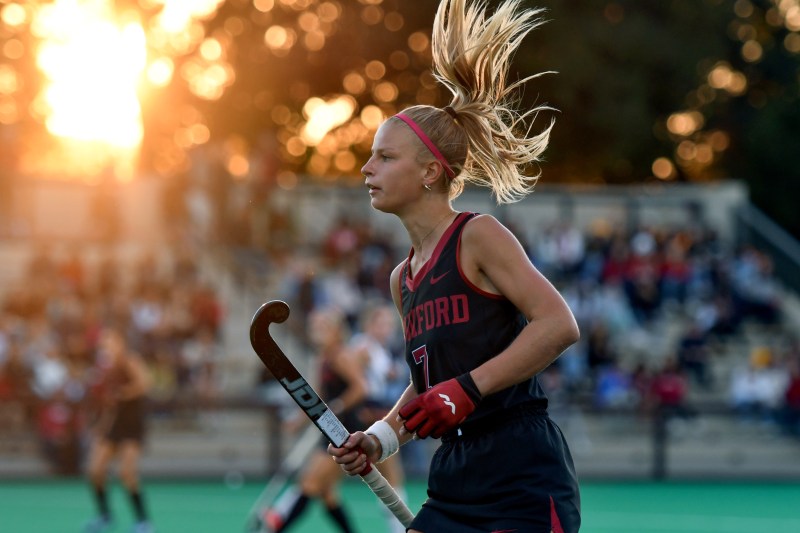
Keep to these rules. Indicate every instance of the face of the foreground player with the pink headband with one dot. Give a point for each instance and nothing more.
(393, 174)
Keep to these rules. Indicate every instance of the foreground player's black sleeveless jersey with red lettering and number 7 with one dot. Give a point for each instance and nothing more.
(451, 326)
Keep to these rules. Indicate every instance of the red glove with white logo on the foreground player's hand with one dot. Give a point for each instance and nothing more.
(442, 408)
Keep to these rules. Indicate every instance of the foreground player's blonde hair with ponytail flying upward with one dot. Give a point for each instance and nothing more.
(481, 133)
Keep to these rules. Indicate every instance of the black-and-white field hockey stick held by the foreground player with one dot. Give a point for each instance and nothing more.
(304, 395)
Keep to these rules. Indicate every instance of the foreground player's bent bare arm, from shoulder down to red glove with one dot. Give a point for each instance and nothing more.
(494, 260)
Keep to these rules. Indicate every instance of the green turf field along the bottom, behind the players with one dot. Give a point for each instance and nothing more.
(214, 507)
